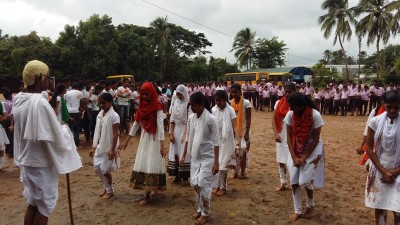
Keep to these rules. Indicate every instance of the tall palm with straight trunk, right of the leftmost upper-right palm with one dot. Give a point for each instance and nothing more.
(375, 24)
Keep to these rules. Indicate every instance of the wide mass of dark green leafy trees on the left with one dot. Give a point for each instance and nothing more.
(95, 48)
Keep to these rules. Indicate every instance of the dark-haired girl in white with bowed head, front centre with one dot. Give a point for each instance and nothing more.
(202, 143)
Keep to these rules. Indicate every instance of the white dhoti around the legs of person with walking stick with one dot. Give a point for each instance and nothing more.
(40, 188)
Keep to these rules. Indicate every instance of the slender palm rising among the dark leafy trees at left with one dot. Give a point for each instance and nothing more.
(159, 38)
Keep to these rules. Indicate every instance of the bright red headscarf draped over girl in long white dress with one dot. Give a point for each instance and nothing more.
(146, 114)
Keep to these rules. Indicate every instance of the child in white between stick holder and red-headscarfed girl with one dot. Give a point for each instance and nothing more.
(105, 142)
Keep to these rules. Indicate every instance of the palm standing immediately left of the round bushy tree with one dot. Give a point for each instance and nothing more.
(243, 45)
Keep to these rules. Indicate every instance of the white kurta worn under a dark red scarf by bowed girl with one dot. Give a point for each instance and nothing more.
(307, 173)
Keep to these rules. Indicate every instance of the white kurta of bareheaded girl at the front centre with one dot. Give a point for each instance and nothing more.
(202, 159)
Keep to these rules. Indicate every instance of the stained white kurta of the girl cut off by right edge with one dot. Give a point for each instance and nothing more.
(379, 195)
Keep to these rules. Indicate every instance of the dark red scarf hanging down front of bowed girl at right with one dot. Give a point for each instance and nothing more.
(301, 130)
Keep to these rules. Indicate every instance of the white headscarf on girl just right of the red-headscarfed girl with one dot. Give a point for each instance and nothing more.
(179, 112)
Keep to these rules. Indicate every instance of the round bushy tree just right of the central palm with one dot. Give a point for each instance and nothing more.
(270, 53)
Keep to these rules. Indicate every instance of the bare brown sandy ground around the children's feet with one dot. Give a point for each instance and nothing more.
(250, 201)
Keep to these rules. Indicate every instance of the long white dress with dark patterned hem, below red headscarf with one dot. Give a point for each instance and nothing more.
(149, 169)
